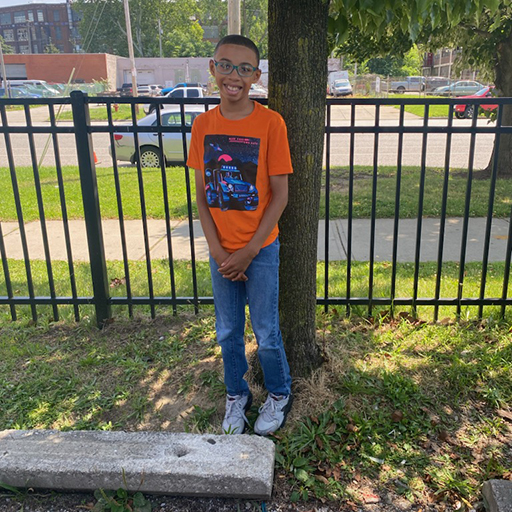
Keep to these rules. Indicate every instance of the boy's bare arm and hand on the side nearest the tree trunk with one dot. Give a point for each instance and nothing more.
(236, 263)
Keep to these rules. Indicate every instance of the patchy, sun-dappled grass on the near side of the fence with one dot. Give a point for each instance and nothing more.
(401, 409)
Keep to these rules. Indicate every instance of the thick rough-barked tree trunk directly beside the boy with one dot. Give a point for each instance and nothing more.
(298, 53)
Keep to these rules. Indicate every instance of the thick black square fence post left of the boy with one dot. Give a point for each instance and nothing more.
(89, 184)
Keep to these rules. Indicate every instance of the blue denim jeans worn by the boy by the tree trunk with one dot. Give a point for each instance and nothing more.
(261, 291)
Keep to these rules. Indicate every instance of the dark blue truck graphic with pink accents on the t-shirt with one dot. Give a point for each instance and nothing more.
(230, 170)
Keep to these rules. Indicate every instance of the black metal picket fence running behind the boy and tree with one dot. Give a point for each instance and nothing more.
(362, 135)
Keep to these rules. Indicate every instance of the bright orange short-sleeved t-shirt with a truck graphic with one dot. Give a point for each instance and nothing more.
(236, 159)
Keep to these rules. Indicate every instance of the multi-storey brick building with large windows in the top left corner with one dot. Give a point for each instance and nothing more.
(30, 28)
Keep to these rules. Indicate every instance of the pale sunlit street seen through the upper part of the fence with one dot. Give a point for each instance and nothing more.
(339, 146)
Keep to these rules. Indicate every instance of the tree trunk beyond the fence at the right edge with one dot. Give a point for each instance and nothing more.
(503, 84)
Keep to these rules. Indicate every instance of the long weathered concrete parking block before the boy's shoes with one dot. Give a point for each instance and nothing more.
(152, 462)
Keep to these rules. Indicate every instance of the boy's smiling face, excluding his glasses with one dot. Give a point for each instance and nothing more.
(233, 87)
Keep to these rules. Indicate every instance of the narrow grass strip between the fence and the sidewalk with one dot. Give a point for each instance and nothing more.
(183, 276)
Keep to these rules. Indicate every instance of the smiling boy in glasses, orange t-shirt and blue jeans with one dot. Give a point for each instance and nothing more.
(242, 160)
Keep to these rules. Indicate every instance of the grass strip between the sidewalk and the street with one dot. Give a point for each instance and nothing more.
(178, 205)
